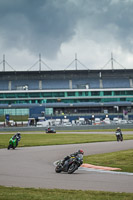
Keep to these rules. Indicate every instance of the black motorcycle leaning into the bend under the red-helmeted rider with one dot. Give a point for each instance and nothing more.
(70, 165)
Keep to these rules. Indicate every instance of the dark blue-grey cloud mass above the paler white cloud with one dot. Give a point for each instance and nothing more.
(43, 25)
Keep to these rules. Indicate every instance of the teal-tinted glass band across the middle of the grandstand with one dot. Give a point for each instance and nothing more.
(66, 96)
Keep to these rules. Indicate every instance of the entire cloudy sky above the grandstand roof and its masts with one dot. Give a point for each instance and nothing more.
(61, 29)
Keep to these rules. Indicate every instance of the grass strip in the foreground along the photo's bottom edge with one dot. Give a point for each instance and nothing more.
(7, 193)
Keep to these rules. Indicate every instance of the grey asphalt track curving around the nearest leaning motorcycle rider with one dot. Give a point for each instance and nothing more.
(33, 167)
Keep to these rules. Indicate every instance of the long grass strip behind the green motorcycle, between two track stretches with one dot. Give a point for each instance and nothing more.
(57, 139)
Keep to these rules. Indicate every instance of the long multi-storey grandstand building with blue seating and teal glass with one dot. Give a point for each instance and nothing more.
(66, 92)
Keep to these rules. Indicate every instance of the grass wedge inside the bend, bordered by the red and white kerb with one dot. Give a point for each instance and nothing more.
(120, 159)
